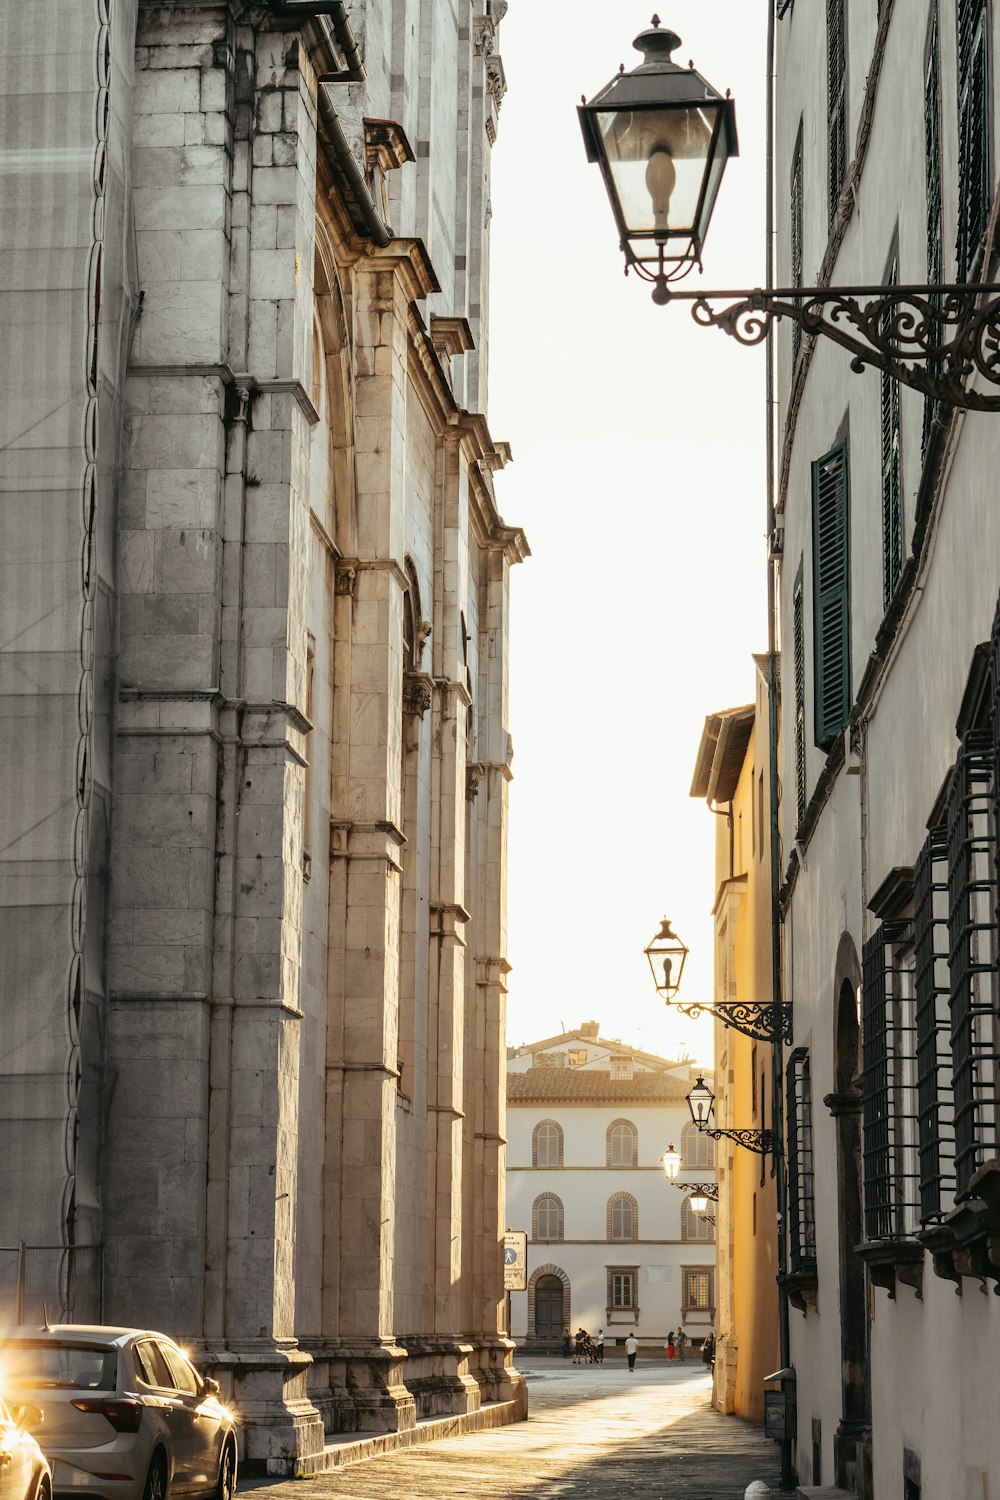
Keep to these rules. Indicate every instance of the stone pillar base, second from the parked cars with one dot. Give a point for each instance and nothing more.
(361, 1388)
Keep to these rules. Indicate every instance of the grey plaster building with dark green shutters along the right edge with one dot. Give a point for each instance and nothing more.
(888, 127)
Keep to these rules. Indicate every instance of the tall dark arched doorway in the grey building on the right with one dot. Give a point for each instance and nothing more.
(852, 1444)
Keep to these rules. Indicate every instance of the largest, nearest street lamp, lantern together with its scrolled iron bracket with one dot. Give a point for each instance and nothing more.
(662, 137)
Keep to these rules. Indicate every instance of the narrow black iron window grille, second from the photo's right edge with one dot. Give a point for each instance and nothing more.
(933, 1030)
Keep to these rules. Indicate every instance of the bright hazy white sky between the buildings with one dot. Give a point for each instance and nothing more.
(639, 479)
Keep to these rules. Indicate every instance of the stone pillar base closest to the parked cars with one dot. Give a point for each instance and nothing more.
(266, 1382)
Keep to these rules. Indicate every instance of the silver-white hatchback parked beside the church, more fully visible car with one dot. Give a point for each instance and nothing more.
(127, 1417)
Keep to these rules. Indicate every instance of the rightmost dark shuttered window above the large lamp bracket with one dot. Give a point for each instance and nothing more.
(975, 187)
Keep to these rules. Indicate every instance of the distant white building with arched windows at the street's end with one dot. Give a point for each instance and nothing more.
(611, 1244)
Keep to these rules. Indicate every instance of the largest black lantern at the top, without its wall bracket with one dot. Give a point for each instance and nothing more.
(662, 137)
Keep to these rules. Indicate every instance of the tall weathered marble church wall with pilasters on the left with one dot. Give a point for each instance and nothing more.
(254, 698)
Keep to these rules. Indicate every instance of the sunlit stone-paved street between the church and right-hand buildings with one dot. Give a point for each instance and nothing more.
(594, 1432)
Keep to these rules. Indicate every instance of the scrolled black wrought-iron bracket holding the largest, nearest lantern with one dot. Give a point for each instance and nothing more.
(929, 338)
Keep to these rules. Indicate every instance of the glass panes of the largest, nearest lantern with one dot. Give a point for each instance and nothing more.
(659, 199)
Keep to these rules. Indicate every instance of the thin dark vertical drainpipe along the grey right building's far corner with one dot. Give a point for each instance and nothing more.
(777, 1052)
